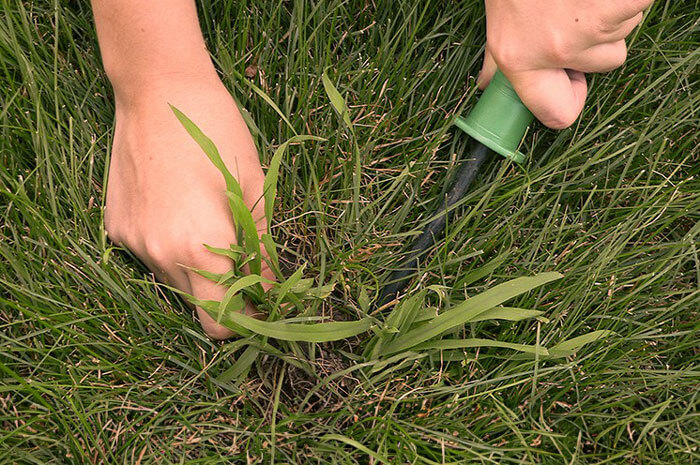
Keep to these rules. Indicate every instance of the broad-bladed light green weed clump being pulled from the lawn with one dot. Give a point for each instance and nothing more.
(410, 330)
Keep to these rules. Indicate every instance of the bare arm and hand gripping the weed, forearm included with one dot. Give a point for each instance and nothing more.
(165, 199)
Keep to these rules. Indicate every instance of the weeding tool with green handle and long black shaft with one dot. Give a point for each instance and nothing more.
(497, 123)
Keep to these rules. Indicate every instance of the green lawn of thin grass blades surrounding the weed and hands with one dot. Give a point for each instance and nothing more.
(98, 364)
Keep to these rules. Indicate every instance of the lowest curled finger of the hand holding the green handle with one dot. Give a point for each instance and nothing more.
(555, 96)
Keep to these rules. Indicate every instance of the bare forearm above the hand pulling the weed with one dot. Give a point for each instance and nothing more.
(143, 42)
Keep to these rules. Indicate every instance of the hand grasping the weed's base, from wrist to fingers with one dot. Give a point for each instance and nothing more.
(165, 198)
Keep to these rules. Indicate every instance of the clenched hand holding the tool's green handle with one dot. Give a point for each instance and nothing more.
(544, 47)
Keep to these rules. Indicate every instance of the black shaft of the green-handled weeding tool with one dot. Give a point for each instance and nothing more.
(434, 231)
